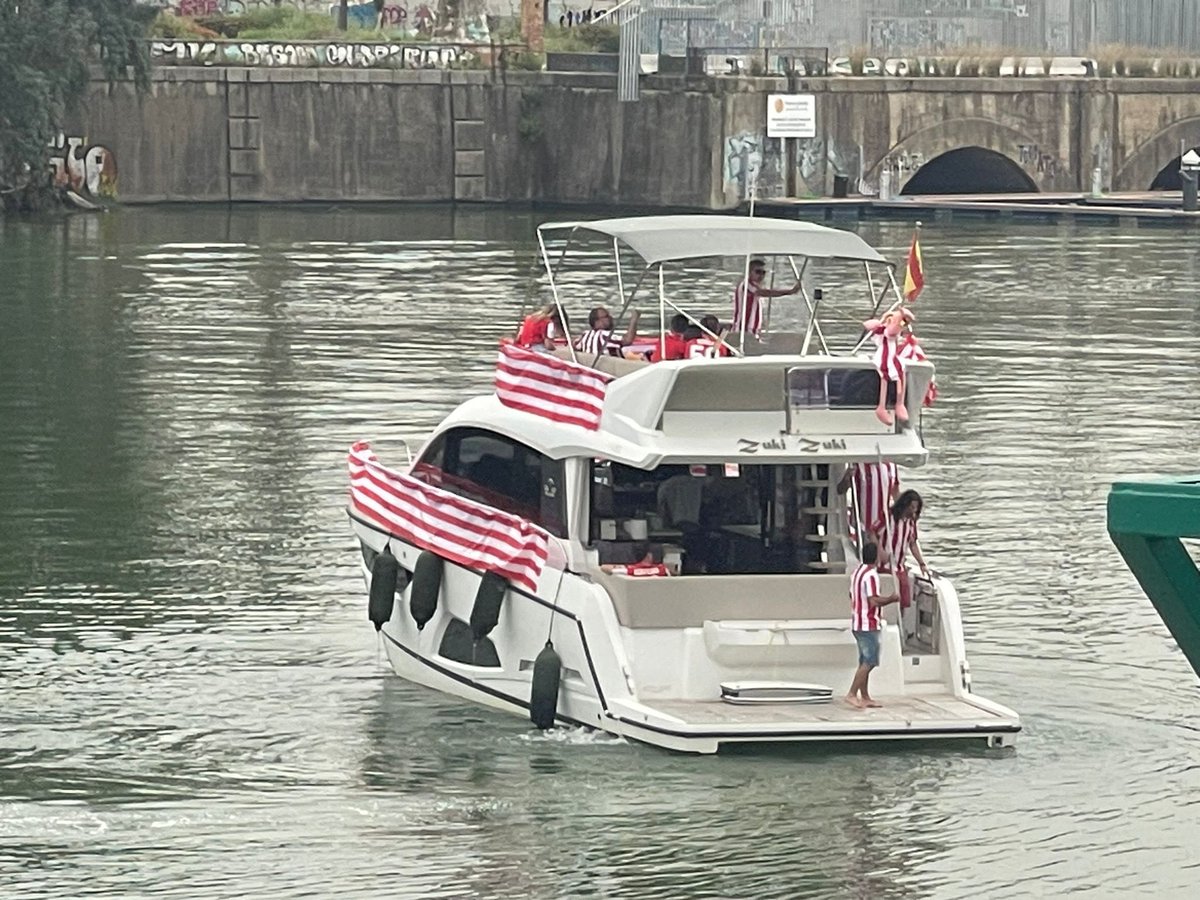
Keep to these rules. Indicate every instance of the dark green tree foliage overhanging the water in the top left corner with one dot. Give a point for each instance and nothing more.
(46, 49)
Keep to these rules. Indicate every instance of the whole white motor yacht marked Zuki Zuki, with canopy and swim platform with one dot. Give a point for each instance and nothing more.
(724, 472)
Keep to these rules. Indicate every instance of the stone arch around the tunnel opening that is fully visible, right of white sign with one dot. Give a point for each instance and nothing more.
(1031, 166)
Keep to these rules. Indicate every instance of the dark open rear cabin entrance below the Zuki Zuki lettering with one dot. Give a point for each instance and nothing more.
(718, 519)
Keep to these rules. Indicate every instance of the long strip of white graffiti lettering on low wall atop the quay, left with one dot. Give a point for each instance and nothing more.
(286, 55)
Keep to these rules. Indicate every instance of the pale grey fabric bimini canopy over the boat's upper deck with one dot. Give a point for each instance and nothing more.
(659, 239)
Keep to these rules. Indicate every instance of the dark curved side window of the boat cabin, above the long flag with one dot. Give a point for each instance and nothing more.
(497, 471)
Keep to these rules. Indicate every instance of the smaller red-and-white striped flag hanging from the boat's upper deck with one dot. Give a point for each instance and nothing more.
(550, 387)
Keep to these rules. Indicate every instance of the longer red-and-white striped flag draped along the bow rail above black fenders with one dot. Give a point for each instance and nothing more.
(453, 527)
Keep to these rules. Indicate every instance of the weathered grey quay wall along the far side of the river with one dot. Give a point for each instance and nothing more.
(230, 134)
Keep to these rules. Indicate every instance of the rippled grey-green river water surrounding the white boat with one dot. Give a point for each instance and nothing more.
(196, 706)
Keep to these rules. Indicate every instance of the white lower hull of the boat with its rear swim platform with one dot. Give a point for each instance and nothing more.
(598, 688)
